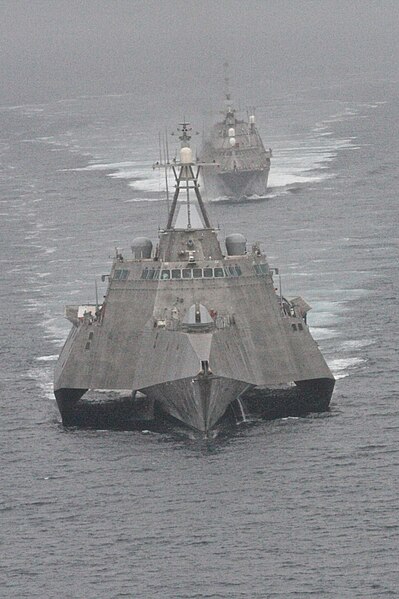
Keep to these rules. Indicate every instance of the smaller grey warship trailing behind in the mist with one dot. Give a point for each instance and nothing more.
(236, 147)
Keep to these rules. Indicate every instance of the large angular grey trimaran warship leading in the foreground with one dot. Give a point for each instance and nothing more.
(192, 328)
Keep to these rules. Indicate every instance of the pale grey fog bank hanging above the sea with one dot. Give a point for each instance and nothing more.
(54, 49)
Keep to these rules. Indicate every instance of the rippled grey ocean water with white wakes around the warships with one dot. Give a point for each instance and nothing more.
(294, 508)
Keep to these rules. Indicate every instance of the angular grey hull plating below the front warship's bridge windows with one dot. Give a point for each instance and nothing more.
(141, 343)
